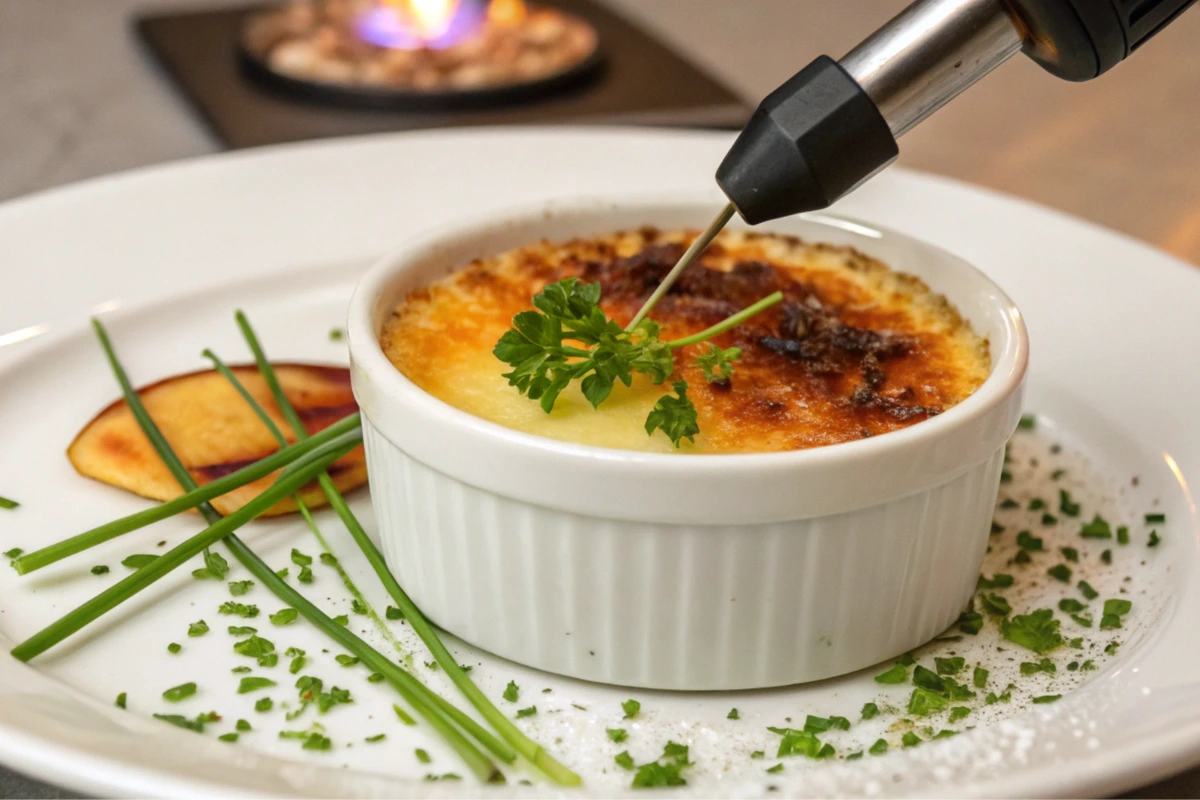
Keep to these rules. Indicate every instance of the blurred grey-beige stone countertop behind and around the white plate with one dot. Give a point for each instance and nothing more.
(80, 99)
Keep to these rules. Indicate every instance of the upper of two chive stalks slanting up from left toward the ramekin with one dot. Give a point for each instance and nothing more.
(68, 548)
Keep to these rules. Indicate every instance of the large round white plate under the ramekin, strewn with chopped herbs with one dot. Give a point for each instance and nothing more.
(167, 255)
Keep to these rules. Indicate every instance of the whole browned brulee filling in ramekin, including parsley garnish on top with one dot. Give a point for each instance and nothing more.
(854, 350)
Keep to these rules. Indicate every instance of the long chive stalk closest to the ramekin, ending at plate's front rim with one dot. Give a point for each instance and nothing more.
(531, 750)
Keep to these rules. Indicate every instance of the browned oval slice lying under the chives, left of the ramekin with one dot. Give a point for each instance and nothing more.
(215, 434)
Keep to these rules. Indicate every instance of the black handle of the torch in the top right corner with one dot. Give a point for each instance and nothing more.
(1081, 40)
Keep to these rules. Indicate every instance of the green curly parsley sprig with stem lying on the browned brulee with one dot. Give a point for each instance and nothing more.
(544, 350)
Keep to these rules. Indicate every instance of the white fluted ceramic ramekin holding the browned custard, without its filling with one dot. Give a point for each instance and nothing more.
(671, 572)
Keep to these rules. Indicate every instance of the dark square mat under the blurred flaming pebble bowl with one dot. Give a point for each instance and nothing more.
(641, 83)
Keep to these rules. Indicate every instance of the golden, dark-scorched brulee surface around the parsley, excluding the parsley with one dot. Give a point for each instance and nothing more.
(855, 350)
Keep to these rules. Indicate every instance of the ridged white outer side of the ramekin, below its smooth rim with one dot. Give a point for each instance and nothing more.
(682, 607)
